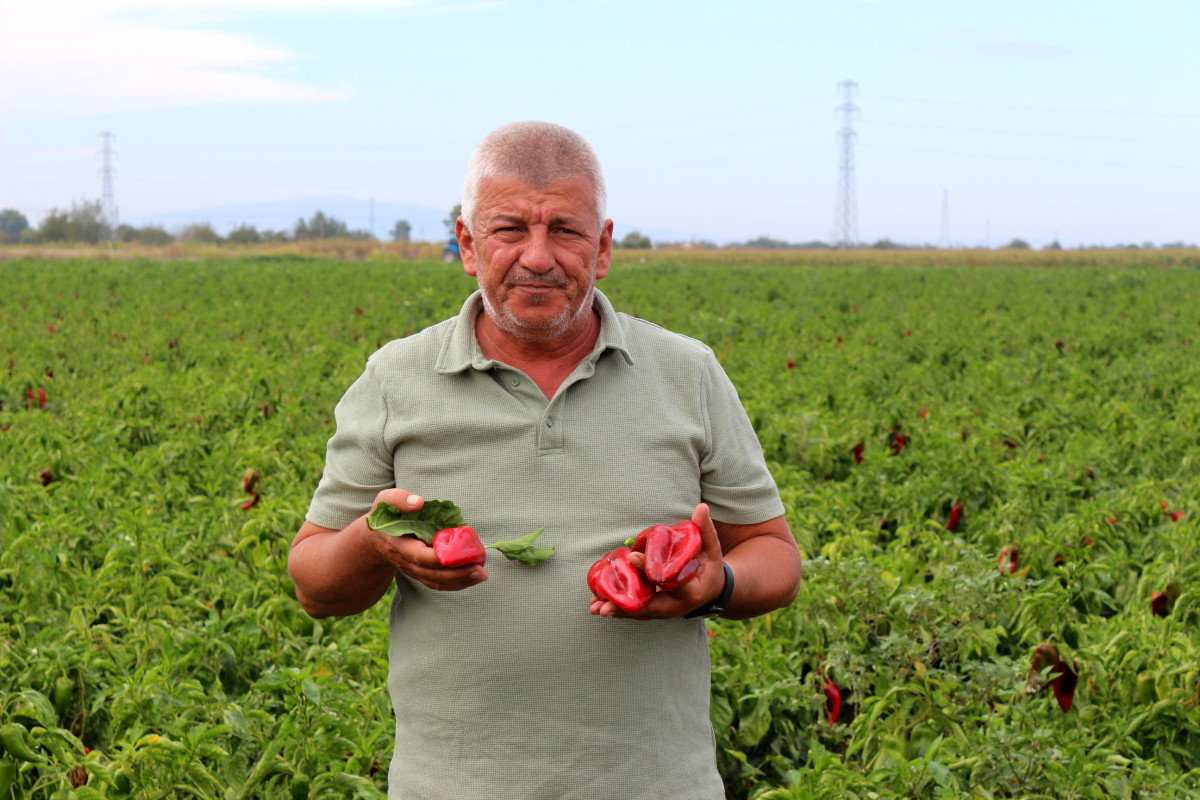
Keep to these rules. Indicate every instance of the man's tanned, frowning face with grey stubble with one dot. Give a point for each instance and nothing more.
(537, 255)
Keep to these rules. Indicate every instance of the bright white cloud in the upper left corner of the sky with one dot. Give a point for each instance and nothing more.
(71, 58)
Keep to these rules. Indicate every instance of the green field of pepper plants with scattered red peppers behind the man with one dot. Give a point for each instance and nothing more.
(922, 413)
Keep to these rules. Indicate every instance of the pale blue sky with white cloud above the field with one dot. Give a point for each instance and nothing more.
(974, 124)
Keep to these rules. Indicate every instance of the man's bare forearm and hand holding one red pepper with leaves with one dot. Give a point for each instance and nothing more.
(344, 573)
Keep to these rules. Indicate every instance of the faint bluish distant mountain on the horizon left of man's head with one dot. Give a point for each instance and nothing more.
(427, 224)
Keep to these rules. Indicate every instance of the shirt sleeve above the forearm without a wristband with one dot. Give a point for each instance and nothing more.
(358, 466)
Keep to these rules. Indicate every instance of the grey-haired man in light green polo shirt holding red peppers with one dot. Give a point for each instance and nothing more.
(539, 406)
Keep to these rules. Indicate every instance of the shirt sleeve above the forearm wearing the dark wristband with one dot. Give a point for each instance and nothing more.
(735, 480)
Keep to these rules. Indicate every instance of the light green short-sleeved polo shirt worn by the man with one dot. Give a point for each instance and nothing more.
(512, 689)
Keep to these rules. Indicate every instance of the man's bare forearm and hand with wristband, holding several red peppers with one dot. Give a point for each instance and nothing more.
(765, 561)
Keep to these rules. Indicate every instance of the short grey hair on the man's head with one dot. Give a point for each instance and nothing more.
(538, 154)
